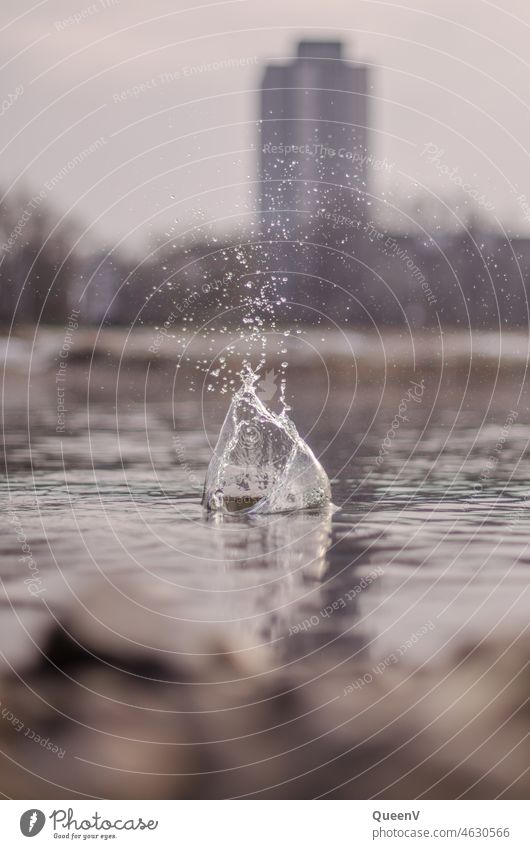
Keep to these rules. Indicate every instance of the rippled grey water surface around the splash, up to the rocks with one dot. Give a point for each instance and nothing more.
(430, 527)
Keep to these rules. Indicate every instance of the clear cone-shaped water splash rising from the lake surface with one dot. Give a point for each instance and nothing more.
(261, 464)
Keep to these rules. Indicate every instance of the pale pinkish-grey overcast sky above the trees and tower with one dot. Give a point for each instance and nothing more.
(452, 73)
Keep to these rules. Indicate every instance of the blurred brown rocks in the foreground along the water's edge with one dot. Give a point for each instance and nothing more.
(101, 714)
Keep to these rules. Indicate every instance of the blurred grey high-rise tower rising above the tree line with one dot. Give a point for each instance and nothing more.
(313, 129)
